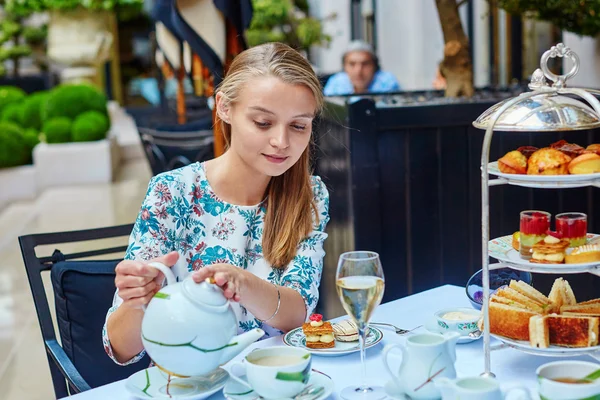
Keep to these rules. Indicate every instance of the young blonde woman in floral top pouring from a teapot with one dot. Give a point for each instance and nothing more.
(253, 219)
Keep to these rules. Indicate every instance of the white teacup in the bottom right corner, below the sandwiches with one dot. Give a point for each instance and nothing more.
(551, 389)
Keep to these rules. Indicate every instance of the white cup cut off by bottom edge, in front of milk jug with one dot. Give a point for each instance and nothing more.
(476, 388)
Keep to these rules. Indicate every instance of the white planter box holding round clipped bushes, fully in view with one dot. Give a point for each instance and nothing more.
(79, 163)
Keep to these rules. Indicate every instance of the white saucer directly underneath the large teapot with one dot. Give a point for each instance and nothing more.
(152, 383)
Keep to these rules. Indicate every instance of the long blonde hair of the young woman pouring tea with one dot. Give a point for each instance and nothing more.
(290, 201)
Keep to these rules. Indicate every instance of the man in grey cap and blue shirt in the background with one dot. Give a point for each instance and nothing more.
(361, 73)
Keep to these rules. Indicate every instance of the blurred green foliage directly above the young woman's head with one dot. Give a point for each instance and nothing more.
(285, 21)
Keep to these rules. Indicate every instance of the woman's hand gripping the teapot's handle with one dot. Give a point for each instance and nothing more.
(137, 282)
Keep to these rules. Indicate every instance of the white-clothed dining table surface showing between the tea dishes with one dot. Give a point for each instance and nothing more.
(511, 367)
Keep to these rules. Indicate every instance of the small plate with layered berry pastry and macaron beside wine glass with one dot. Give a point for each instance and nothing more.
(325, 338)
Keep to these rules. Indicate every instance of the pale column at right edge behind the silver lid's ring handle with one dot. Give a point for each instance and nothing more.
(588, 50)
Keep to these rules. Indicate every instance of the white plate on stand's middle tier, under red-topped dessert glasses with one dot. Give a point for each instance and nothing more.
(501, 249)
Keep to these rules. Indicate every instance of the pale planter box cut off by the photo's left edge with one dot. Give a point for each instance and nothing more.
(17, 183)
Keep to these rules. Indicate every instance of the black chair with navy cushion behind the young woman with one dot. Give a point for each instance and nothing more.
(83, 292)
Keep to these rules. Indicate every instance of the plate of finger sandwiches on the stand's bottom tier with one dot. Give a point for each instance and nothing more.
(555, 325)
